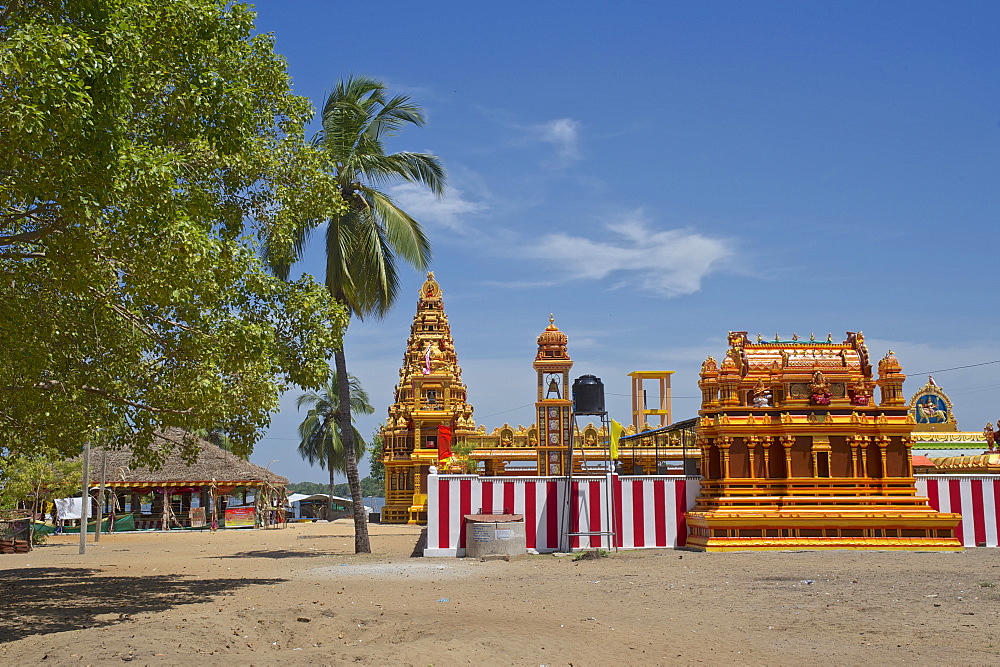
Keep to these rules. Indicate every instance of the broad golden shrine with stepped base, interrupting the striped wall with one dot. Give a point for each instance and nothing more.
(797, 455)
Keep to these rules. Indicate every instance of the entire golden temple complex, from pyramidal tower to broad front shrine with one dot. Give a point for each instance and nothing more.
(793, 450)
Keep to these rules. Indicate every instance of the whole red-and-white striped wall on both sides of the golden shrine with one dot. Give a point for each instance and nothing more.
(648, 511)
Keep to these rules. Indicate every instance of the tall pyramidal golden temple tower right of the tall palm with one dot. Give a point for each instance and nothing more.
(429, 412)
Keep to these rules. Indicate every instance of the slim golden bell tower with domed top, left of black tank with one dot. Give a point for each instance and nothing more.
(553, 407)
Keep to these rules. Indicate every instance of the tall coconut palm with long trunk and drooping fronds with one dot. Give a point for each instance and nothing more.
(363, 242)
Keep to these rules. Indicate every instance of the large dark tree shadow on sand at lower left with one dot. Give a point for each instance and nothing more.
(41, 600)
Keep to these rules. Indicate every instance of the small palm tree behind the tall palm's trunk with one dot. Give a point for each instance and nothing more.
(320, 440)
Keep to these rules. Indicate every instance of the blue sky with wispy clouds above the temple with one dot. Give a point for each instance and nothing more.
(656, 174)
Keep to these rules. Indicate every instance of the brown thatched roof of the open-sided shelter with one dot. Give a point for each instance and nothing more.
(213, 464)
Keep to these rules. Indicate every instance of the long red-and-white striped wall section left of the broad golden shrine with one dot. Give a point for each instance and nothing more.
(653, 510)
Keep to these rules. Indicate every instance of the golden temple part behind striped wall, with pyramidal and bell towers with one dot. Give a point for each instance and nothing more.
(430, 422)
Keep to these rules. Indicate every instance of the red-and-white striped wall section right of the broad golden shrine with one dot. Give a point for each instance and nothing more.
(975, 497)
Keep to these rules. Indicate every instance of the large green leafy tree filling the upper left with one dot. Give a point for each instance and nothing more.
(148, 149)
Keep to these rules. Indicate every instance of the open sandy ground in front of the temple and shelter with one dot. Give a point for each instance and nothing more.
(298, 595)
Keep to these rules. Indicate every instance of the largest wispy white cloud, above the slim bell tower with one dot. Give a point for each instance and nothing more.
(670, 262)
